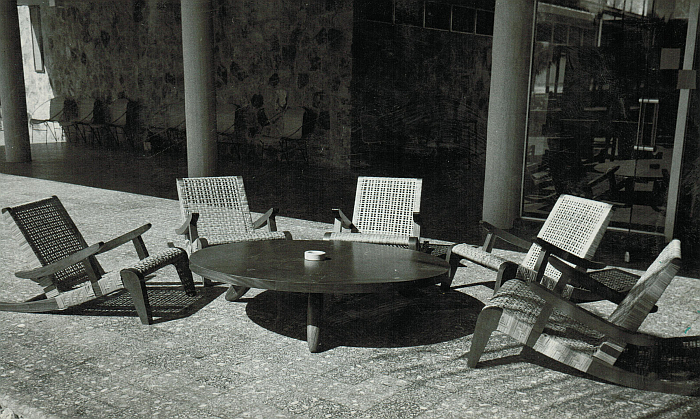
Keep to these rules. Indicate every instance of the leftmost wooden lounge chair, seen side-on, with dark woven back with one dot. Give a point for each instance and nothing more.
(96, 283)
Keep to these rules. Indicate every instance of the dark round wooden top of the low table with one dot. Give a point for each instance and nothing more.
(349, 268)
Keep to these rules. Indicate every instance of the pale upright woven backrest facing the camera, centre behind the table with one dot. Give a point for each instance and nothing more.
(385, 205)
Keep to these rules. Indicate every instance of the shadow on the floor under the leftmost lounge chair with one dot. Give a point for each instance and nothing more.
(168, 302)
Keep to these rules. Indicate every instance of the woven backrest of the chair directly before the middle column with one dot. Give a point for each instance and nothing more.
(221, 203)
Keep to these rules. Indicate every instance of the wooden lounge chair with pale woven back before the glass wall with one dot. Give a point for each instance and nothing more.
(576, 225)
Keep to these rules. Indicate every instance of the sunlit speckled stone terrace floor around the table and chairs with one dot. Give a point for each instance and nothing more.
(383, 356)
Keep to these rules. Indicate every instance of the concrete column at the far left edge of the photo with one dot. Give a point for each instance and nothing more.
(13, 98)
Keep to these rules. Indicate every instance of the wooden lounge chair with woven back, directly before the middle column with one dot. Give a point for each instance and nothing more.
(215, 211)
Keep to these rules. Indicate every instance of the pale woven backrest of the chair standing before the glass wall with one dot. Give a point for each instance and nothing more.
(576, 225)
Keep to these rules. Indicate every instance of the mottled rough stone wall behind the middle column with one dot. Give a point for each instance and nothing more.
(268, 55)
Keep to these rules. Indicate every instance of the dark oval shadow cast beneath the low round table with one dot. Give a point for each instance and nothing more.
(422, 317)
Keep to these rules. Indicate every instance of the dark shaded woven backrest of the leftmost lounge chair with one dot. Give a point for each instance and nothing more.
(44, 230)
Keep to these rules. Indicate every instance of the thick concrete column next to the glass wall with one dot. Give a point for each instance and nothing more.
(507, 117)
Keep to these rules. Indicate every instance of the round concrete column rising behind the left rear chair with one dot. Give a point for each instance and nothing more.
(200, 94)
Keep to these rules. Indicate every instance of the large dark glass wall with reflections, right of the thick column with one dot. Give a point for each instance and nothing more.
(603, 106)
